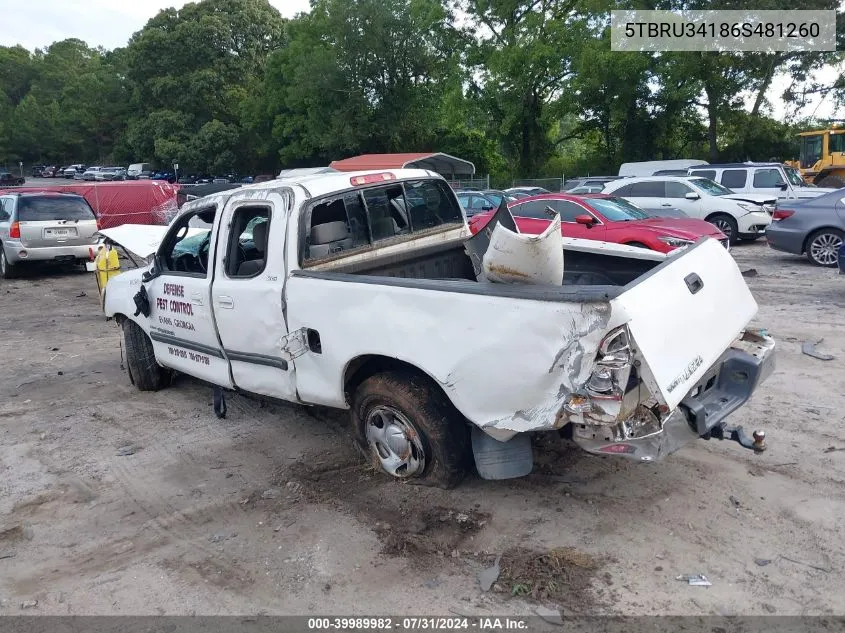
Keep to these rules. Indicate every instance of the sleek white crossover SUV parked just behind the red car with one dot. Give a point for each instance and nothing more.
(740, 216)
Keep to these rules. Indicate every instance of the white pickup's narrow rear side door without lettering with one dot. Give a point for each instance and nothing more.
(247, 295)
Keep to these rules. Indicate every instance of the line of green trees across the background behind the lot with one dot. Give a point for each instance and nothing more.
(523, 88)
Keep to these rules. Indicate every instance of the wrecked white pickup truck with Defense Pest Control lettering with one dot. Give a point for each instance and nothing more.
(366, 292)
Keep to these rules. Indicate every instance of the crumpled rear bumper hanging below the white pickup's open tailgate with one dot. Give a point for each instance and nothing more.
(726, 387)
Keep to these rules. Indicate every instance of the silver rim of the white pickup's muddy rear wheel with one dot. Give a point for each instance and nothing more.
(395, 442)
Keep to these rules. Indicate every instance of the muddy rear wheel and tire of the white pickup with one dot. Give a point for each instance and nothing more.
(407, 428)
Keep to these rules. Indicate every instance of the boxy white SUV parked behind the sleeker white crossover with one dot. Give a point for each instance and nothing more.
(774, 179)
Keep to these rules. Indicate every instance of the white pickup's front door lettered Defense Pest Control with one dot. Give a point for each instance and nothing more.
(181, 323)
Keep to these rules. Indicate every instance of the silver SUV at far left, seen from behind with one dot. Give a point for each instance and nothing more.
(44, 226)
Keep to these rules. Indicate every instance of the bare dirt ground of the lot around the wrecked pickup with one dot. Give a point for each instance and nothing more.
(119, 502)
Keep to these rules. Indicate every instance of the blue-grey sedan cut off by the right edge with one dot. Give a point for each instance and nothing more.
(814, 227)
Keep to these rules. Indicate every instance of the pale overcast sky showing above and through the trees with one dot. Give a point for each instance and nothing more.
(110, 24)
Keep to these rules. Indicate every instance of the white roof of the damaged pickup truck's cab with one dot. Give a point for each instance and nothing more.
(315, 185)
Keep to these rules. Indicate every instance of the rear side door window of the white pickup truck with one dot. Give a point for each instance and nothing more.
(246, 253)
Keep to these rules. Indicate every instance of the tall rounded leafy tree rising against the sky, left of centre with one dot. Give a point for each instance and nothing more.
(195, 66)
